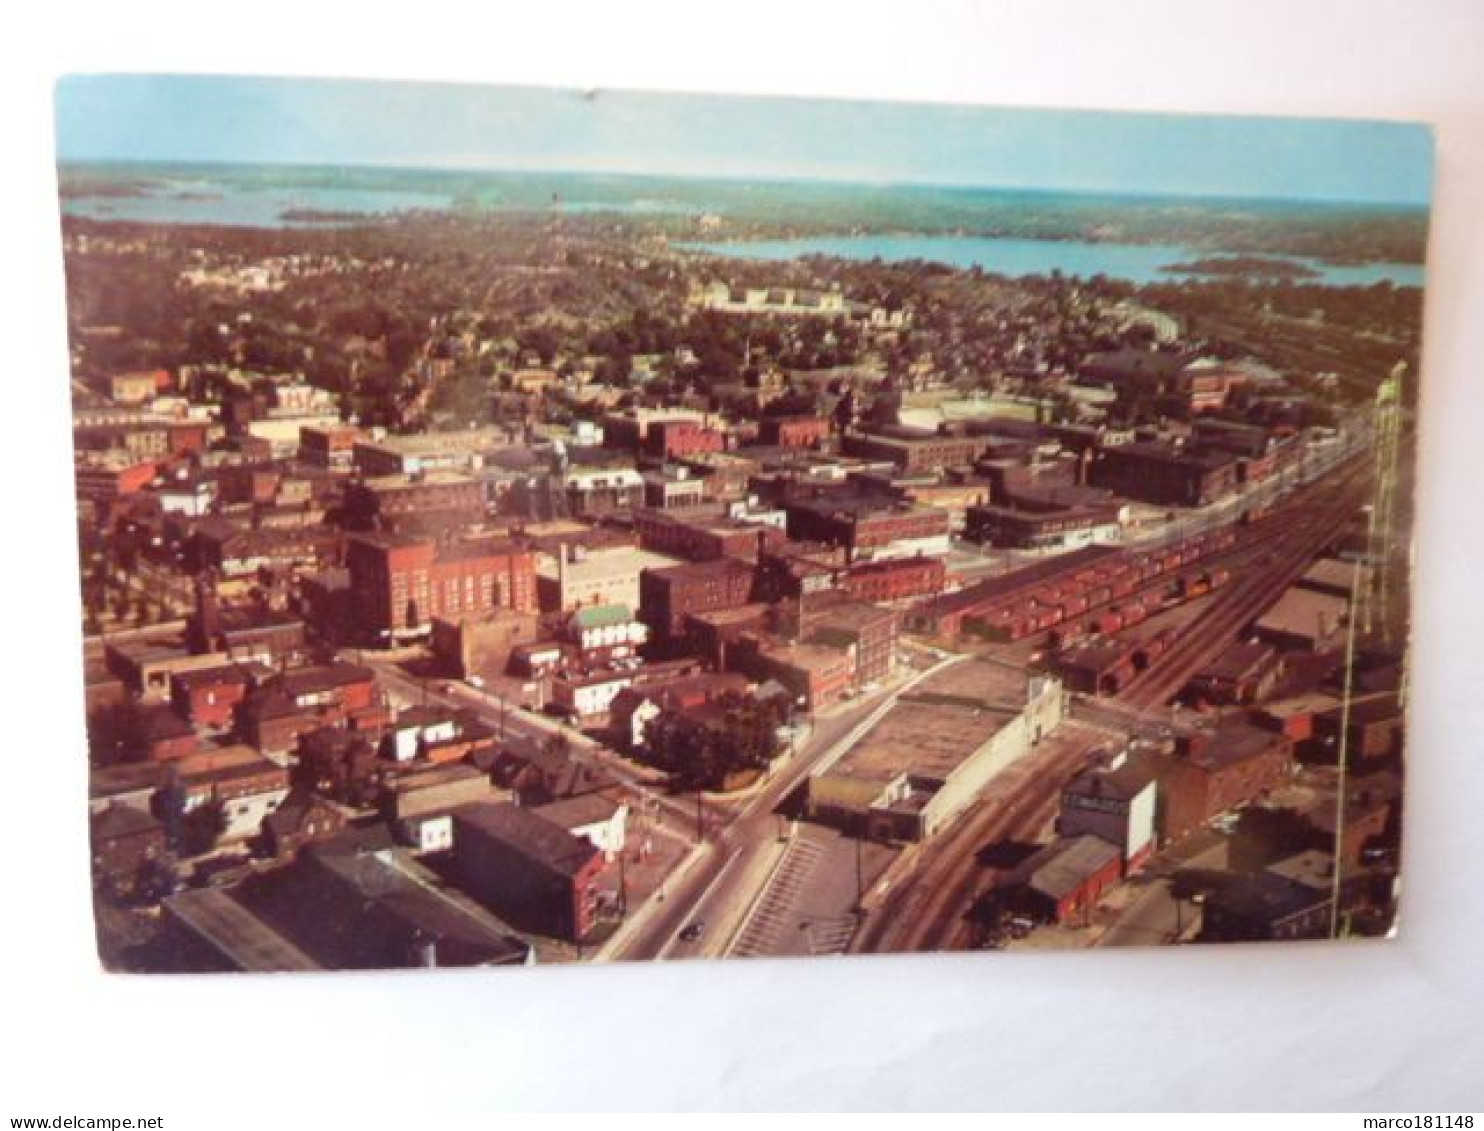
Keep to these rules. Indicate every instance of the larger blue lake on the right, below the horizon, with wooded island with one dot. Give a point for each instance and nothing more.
(1137, 263)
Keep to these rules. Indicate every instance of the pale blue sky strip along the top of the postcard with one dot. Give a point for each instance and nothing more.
(415, 125)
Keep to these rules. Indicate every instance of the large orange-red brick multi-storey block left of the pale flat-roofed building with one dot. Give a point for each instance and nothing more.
(401, 584)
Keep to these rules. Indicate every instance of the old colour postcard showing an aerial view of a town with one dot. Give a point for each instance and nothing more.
(529, 526)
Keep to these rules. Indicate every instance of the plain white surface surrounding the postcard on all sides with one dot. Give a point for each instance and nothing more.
(1365, 1028)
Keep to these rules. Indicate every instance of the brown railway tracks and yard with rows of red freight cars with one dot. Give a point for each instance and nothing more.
(1188, 606)
